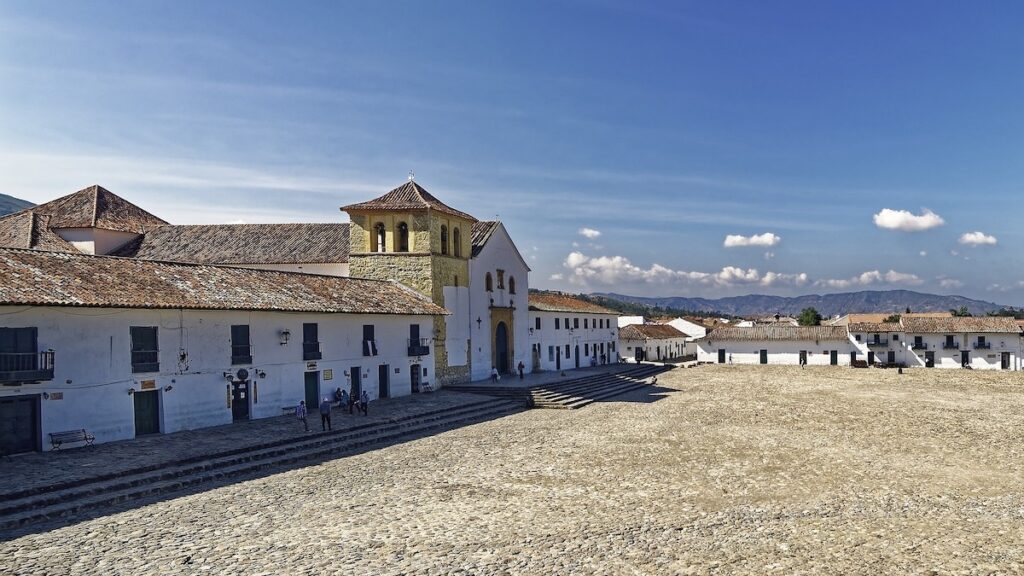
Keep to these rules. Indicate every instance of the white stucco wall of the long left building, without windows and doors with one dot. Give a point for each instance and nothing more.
(93, 367)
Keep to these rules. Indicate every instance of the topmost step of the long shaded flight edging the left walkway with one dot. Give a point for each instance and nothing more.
(225, 454)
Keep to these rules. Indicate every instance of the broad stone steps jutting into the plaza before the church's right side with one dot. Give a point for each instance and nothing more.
(579, 395)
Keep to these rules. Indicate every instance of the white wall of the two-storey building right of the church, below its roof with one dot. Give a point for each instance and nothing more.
(589, 338)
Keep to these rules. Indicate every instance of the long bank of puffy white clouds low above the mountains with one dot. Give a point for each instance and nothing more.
(619, 270)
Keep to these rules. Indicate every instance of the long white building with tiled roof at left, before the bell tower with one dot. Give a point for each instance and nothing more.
(122, 347)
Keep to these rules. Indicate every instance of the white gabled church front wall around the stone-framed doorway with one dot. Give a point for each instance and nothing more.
(499, 254)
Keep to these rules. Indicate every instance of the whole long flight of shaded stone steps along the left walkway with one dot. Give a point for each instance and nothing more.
(67, 500)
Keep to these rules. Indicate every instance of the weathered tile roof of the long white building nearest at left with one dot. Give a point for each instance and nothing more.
(37, 278)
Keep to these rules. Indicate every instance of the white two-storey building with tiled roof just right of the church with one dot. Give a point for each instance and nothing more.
(569, 333)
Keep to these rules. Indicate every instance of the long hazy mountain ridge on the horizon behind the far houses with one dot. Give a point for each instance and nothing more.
(827, 305)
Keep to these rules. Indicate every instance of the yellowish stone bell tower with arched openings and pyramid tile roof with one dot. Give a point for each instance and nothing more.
(413, 238)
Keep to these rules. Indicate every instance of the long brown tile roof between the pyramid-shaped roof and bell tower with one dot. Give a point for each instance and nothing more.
(243, 244)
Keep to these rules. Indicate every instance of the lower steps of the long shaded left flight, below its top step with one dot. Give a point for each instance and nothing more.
(103, 493)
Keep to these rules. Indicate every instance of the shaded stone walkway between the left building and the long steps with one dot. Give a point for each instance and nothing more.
(39, 470)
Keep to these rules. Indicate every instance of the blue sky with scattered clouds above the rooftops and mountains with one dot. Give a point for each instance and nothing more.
(843, 146)
